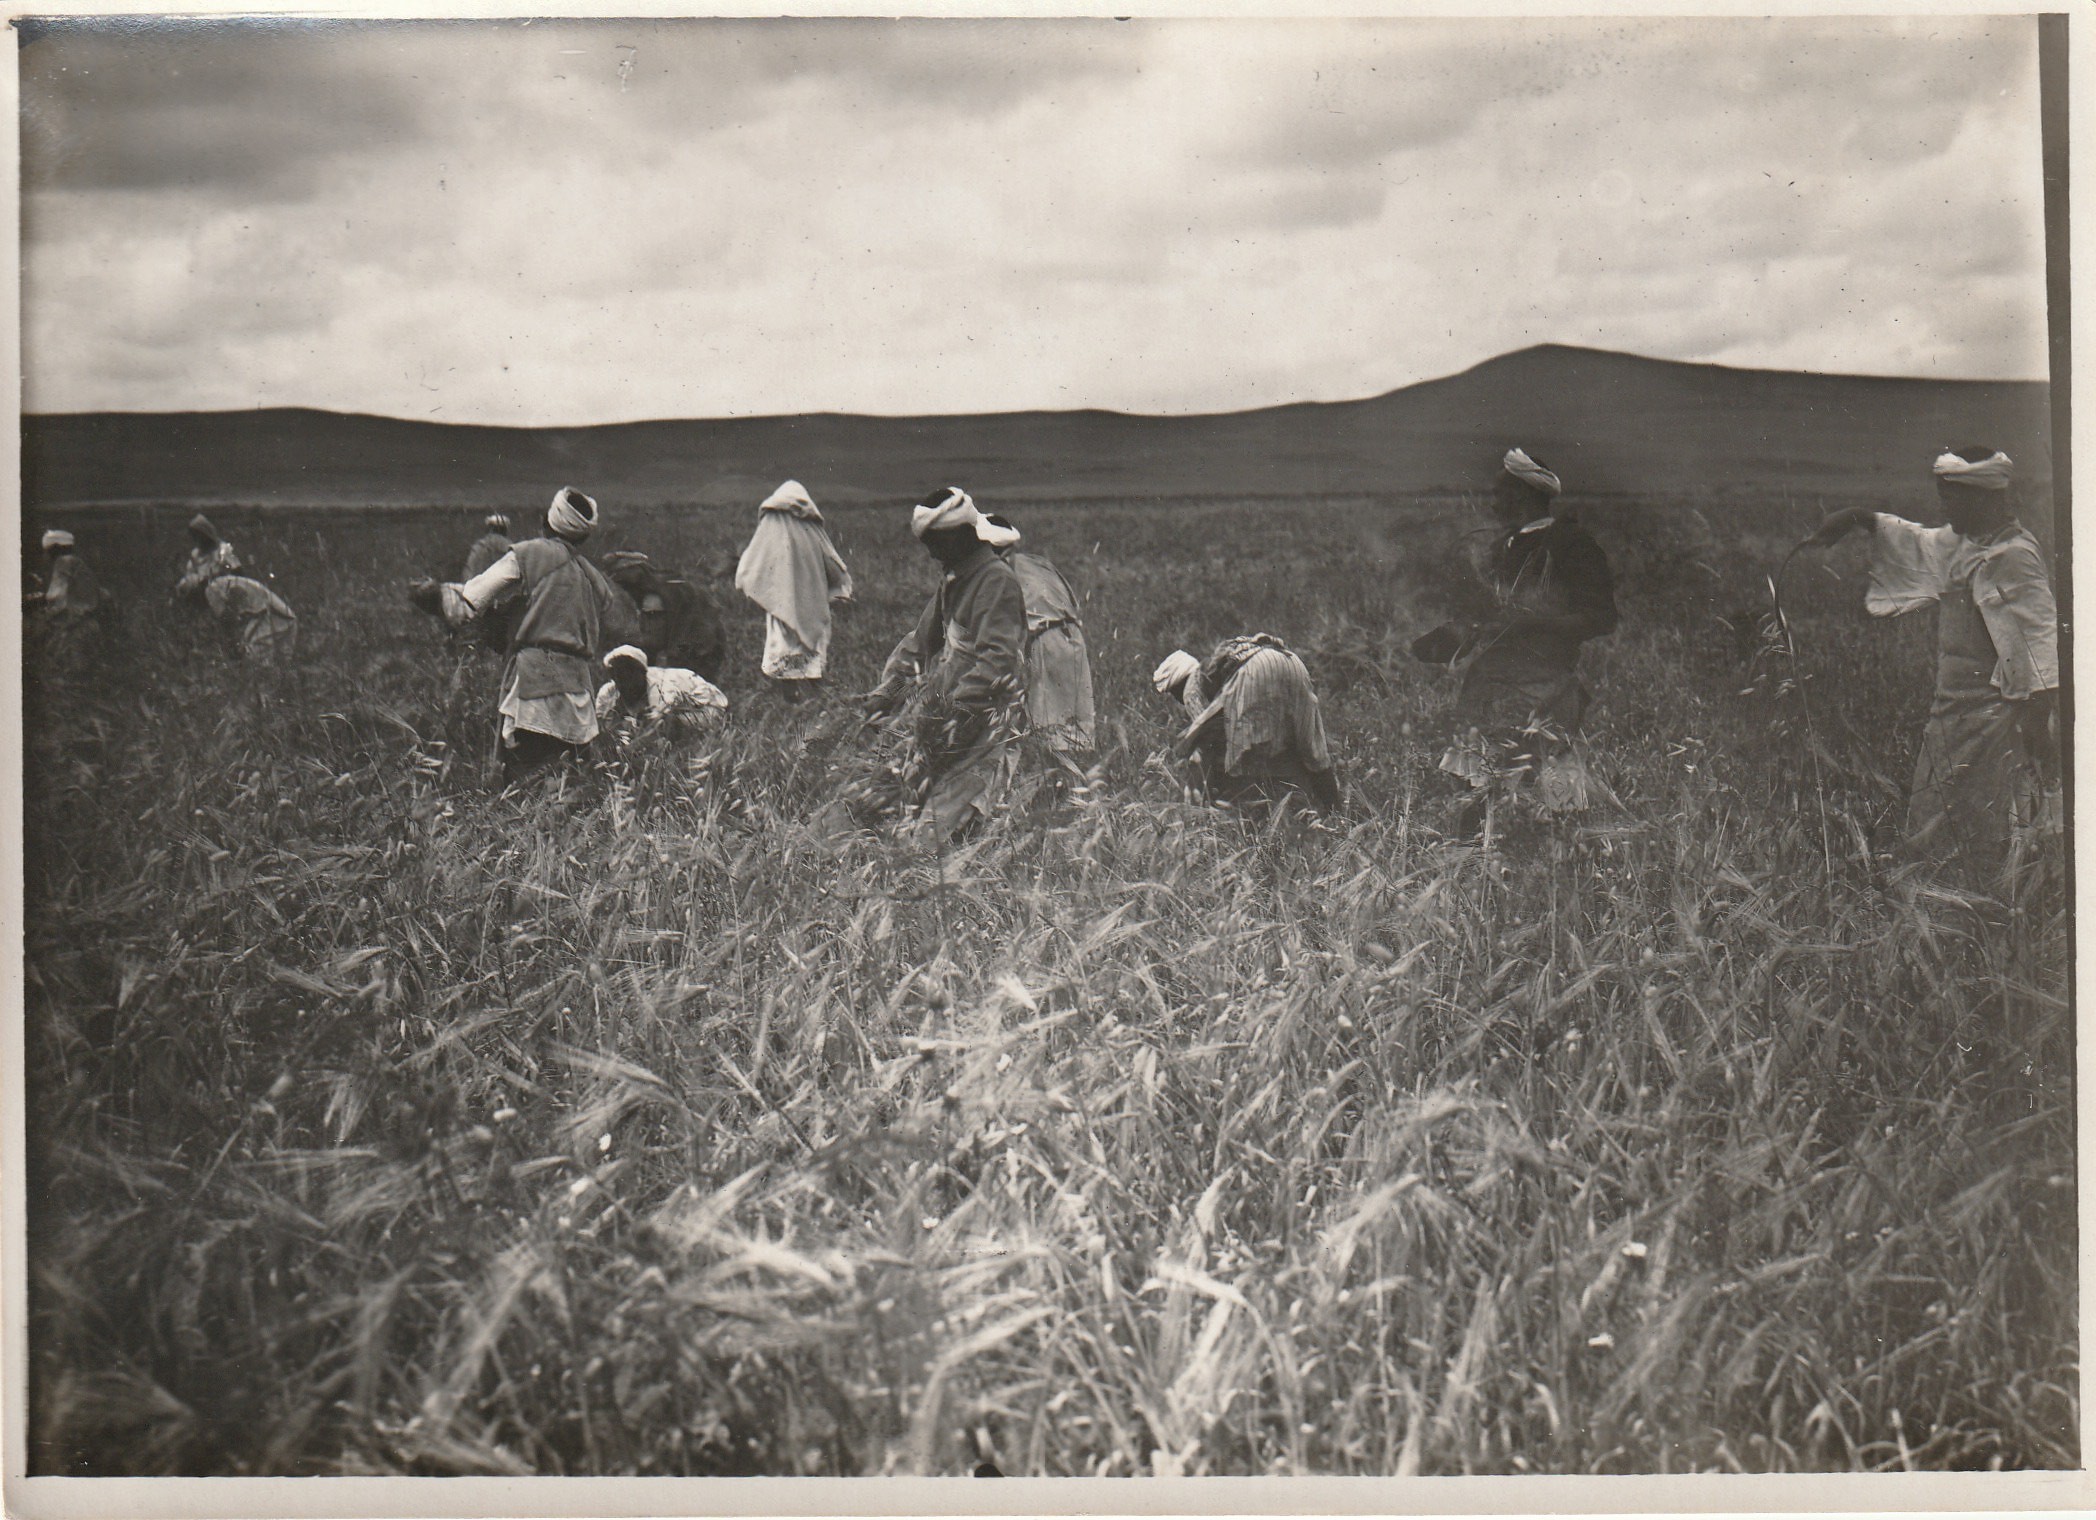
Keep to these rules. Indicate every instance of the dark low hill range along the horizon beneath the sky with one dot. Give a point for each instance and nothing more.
(1611, 425)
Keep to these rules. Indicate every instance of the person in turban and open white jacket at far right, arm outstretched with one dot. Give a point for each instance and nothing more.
(1988, 777)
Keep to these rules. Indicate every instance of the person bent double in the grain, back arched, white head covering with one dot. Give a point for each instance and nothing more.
(1254, 731)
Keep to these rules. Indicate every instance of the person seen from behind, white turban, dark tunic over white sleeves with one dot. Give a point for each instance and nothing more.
(548, 695)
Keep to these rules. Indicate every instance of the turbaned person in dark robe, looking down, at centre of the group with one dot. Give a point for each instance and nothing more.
(965, 670)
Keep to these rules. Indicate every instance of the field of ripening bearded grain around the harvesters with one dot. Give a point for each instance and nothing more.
(385, 1125)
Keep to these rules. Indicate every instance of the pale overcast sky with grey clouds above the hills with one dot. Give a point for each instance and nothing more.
(684, 219)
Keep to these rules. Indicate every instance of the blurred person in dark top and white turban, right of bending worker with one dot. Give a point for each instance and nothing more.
(1519, 705)
